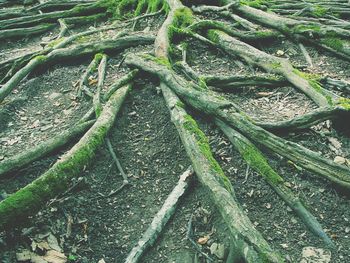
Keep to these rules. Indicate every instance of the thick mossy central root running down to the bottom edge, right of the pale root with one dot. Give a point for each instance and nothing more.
(248, 242)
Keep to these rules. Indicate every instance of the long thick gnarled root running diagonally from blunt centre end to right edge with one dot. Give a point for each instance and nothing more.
(212, 105)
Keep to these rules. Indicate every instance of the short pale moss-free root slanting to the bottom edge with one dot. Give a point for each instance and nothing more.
(160, 220)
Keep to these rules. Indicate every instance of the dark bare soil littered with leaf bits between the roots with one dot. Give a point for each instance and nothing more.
(90, 227)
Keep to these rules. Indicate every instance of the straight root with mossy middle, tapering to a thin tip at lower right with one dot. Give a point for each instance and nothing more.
(257, 161)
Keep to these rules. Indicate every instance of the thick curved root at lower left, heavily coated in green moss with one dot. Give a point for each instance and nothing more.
(28, 200)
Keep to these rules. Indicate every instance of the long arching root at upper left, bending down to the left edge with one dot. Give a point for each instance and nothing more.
(73, 52)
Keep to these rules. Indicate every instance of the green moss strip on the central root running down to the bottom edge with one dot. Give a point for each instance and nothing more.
(203, 143)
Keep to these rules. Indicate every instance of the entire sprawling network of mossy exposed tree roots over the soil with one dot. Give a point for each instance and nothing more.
(246, 134)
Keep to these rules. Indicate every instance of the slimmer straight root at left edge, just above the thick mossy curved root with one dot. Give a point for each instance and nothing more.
(42, 149)
